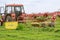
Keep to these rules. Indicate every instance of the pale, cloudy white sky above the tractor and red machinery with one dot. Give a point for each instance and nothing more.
(35, 6)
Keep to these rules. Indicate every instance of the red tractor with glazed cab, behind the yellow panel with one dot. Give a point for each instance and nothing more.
(13, 12)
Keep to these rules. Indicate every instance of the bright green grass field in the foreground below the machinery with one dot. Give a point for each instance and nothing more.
(28, 32)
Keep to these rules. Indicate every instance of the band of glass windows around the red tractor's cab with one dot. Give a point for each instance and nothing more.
(15, 9)
